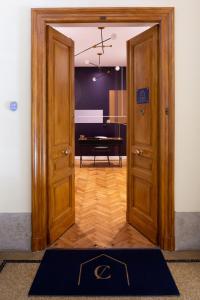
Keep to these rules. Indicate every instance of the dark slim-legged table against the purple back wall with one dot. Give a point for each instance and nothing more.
(111, 142)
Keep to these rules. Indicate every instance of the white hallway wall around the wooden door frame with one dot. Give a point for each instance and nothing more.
(15, 142)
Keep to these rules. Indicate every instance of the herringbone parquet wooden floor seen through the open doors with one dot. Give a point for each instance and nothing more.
(101, 211)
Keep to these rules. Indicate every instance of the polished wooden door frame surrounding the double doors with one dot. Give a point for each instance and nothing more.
(41, 17)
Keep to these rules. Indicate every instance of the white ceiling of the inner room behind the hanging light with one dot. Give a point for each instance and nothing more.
(85, 37)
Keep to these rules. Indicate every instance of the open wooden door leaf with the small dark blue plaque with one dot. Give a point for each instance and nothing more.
(142, 79)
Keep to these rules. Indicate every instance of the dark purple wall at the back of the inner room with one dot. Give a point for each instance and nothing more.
(95, 95)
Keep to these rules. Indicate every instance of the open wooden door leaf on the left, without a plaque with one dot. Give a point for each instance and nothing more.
(60, 160)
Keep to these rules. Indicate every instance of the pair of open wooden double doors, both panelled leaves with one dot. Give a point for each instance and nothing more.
(142, 143)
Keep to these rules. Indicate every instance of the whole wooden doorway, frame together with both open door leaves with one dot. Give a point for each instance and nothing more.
(152, 123)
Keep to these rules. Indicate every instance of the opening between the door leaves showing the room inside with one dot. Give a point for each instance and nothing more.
(100, 64)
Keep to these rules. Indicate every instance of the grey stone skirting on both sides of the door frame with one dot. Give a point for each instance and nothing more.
(15, 231)
